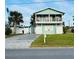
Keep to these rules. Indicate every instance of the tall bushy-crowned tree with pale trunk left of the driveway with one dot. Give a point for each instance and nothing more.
(16, 18)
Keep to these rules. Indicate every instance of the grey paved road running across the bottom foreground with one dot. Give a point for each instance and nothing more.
(40, 53)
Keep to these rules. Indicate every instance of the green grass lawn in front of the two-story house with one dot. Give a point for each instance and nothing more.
(55, 40)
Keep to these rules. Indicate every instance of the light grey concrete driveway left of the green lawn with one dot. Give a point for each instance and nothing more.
(20, 41)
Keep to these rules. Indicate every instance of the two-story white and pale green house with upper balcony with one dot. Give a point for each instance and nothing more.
(48, 21)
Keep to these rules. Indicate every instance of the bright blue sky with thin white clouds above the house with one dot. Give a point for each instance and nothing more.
(28, 7)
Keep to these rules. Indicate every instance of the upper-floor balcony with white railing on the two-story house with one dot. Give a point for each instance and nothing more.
(48, 19)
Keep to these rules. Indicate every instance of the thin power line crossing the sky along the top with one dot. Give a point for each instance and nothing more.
(36, 2)
